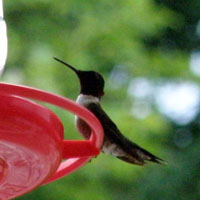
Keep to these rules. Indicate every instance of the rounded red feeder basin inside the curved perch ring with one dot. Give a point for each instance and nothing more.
(30, 145)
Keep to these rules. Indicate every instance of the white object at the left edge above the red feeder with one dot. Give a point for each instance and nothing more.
(3, 39)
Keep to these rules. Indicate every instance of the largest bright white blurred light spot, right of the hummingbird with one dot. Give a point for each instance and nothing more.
(178, 101)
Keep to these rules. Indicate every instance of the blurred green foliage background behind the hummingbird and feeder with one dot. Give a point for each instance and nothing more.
(148, 38)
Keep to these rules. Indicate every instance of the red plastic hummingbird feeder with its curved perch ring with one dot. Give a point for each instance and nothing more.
(32, 145)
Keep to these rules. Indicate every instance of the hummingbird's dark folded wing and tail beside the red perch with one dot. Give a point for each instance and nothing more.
(122, 147)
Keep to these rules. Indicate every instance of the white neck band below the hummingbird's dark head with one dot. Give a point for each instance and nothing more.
(85, 100)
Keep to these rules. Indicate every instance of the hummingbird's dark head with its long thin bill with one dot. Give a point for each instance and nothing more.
(92, 83)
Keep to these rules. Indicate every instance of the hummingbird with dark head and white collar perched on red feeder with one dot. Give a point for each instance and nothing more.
(115, 143)
